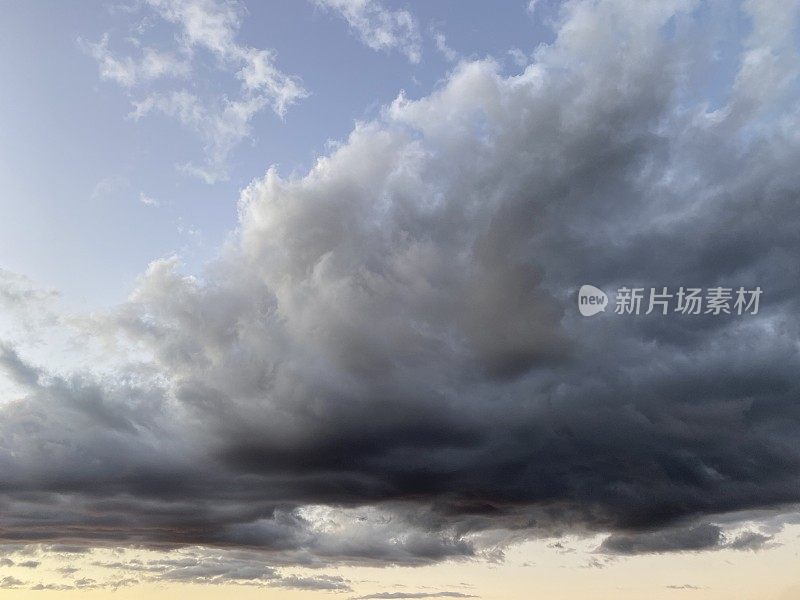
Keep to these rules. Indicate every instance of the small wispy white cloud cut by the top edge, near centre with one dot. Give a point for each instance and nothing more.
(379, 28)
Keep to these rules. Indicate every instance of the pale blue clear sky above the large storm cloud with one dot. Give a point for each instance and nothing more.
(78, 225)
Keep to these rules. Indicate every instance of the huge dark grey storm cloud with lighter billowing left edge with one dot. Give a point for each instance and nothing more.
(388, 367)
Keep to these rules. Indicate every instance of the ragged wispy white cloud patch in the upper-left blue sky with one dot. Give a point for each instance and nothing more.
(221, 121)
